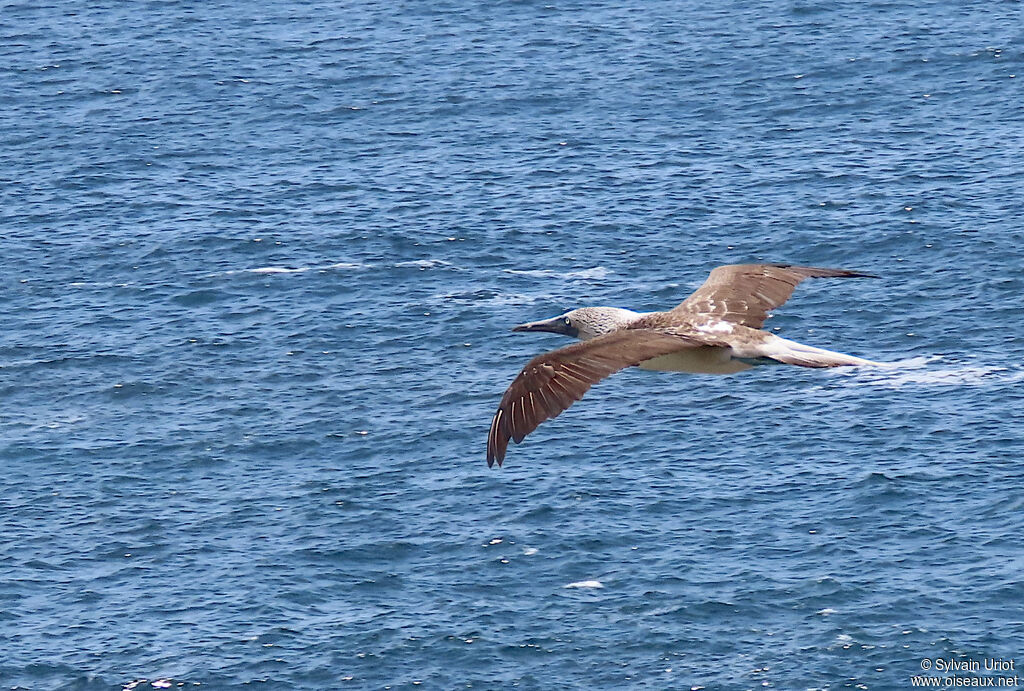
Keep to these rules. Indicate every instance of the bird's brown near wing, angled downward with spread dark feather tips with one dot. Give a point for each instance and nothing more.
(552, 382)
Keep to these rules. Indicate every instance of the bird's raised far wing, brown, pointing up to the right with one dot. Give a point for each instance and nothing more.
(745, 294)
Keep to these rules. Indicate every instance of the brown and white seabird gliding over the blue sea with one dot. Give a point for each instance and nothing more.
(715, 331)
